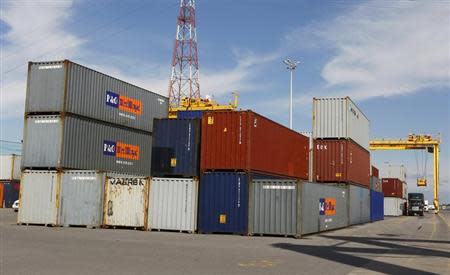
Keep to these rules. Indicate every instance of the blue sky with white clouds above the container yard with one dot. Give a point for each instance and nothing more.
(391, 57)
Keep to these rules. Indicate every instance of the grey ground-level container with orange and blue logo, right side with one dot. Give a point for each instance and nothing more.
(323, 207)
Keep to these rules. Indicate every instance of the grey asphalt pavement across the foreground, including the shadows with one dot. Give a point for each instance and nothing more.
(401, 245)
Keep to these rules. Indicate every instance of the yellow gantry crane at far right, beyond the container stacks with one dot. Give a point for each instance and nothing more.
(415, 142)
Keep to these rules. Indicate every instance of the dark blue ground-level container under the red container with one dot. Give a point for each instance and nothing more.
(223, 202)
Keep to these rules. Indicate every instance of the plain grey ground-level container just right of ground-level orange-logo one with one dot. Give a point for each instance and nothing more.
(359, 205)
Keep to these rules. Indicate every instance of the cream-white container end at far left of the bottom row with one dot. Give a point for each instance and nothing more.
(39, 198)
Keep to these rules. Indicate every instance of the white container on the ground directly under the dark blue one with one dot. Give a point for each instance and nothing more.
(173, 204)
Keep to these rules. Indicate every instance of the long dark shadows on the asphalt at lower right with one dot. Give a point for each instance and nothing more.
(349, 255)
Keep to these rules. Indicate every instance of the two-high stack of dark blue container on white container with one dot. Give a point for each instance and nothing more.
(175, 169)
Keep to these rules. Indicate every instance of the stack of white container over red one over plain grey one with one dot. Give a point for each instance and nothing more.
(340, 154)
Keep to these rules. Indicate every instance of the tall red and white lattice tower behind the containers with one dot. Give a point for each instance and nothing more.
(184, 80)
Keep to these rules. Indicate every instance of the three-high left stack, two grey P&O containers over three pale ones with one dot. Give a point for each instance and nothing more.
(87, 148)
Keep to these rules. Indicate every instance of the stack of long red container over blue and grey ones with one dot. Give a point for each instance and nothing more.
(247, 161)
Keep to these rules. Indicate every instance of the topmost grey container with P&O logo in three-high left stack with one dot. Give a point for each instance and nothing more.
(64, 86)
